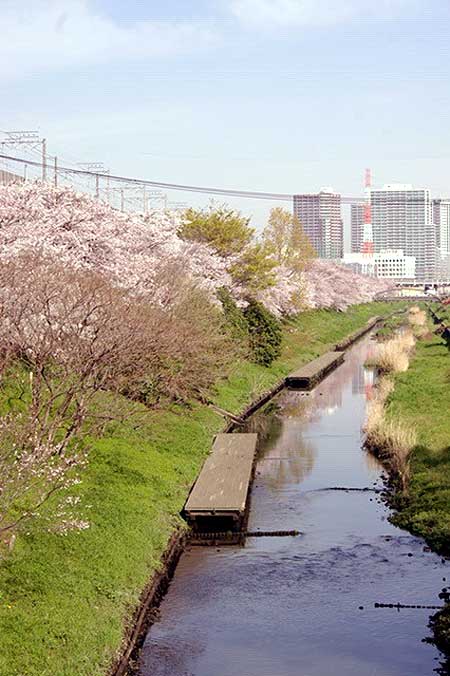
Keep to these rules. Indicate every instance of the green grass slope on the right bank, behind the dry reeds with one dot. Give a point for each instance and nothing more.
(422, 398)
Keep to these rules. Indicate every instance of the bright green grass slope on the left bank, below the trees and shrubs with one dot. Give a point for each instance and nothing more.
(64, 600)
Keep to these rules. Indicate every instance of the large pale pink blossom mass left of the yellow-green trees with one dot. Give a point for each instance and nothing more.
(82, 232)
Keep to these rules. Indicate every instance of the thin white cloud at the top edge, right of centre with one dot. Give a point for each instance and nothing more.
(302, 13)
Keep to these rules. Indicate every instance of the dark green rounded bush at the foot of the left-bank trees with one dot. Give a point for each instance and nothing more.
(264, 333)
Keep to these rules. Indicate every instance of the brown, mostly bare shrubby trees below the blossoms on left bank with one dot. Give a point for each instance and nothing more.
(68, 339)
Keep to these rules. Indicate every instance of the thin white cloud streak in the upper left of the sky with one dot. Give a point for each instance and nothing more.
(40, 35)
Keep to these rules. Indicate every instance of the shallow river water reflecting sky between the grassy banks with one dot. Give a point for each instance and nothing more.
(304, 606)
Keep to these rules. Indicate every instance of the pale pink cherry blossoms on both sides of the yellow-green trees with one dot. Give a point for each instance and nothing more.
(130, 249)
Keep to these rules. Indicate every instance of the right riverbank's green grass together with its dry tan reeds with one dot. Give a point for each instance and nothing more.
(408, 426)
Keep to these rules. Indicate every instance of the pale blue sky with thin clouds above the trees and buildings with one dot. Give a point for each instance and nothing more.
(271, 95)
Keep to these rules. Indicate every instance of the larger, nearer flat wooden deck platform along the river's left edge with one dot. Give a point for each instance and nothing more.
(218, 500)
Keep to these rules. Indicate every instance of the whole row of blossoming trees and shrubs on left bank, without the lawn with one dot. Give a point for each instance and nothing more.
(99, 308)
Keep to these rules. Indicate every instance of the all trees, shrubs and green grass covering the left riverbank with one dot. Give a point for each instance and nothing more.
(118, 331)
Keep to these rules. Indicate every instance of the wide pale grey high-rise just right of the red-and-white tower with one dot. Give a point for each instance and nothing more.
(402, 219)
